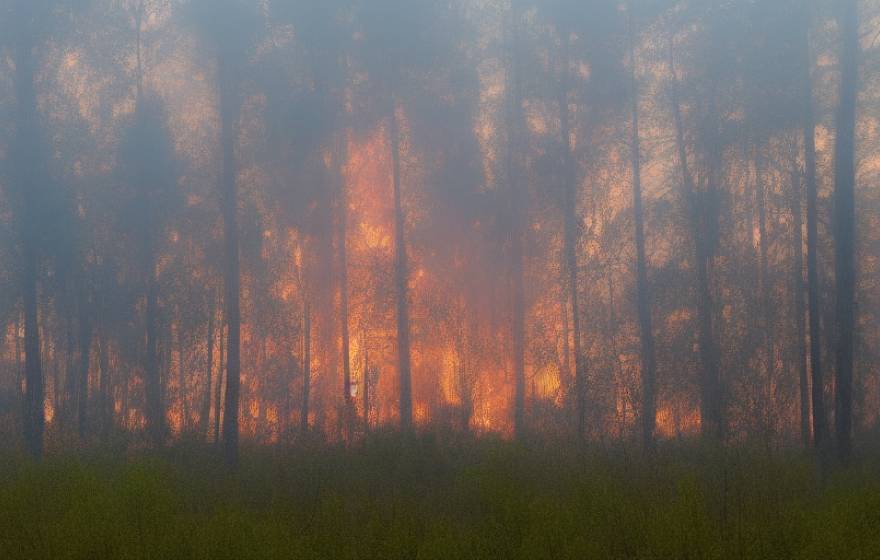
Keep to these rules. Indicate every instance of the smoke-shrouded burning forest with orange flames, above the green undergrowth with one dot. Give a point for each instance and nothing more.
(257, 221)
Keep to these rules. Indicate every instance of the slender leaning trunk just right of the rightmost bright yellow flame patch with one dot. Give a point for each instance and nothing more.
(570, 241)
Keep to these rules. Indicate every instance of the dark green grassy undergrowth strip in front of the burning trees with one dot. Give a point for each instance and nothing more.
(388, 498)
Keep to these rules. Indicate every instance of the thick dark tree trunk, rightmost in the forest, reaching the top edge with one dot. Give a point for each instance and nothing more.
(844, 223)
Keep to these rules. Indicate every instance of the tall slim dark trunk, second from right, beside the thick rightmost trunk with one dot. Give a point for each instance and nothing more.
(820, 422)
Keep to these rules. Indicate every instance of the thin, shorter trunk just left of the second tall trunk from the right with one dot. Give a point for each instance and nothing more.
(798, 288)
